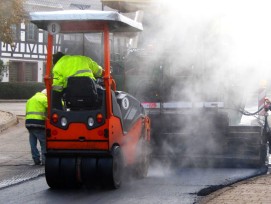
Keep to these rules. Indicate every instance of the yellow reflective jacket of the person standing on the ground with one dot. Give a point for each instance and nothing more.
(36, 111)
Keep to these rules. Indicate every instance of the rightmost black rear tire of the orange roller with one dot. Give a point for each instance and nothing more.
(111, 169)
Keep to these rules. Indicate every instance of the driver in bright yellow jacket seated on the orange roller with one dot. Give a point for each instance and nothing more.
(71, 65)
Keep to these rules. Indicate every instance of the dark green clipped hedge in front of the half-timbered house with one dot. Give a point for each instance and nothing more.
(16, 90)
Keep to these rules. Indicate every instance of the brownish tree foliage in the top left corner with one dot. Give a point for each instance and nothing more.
(11, 13)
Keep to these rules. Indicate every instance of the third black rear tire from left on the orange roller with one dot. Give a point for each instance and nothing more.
(89, 172)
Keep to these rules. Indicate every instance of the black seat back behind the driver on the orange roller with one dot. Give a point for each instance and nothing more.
(81, 94)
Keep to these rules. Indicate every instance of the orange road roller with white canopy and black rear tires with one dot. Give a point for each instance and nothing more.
(98, 133)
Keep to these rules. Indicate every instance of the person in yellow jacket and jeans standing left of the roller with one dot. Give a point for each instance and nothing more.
(36, 110)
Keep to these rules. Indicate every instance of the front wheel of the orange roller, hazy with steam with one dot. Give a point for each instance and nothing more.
(143, 159)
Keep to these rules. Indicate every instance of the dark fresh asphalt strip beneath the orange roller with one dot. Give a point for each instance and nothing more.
(162, 185)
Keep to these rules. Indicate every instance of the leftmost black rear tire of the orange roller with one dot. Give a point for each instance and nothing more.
(52, 172)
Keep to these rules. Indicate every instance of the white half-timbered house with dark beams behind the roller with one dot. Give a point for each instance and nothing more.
(25, 60)
